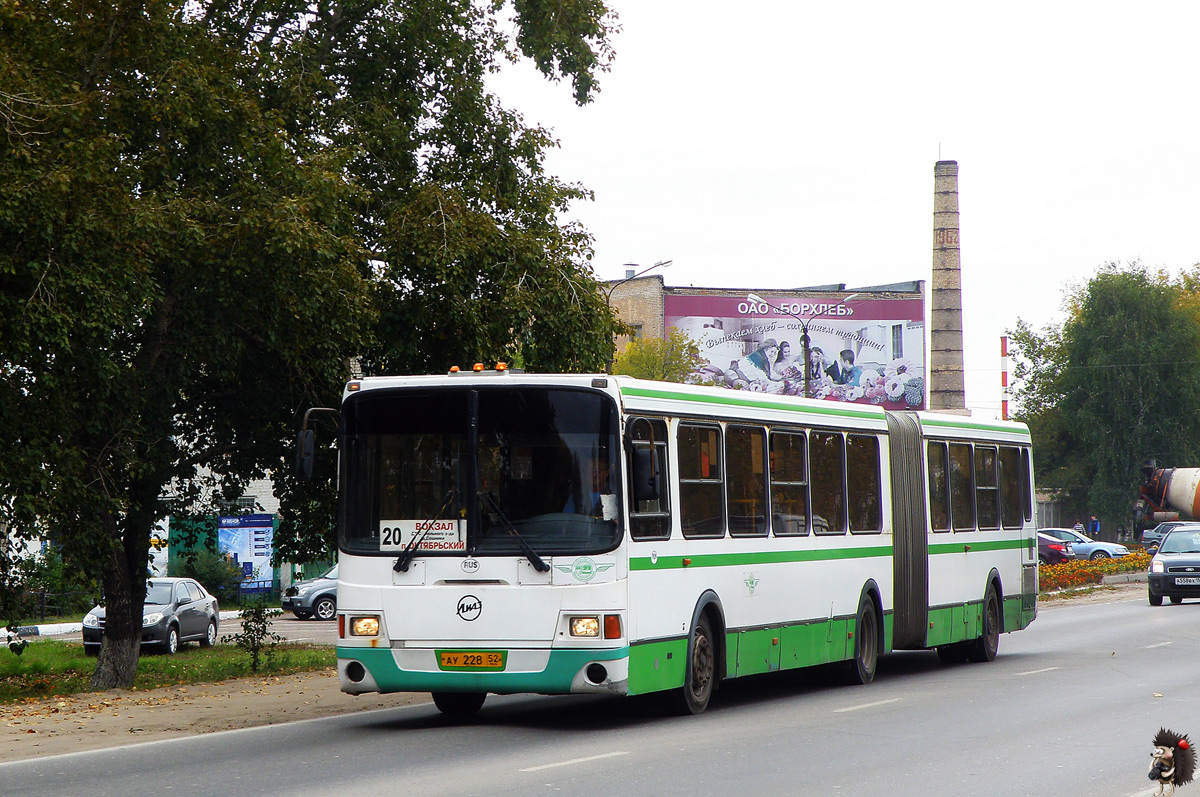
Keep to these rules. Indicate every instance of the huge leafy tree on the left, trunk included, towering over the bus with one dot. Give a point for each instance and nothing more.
(209, 209)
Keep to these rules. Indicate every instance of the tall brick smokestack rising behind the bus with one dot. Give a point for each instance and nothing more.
(946, 387)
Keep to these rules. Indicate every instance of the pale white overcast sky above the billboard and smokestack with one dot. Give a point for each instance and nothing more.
(776, 145)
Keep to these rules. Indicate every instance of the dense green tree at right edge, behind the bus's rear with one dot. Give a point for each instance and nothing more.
(1117, 385)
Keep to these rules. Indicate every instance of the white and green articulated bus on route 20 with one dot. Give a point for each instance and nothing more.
(503, 532)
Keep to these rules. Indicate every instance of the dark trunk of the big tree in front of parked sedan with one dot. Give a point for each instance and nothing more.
(118, 663)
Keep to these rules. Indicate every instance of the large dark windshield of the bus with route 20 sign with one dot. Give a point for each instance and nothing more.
(481, 471)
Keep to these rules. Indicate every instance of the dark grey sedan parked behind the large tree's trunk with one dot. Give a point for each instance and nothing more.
(177, 610)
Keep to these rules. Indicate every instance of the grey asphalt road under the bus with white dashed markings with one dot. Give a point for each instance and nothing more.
(1069, 710)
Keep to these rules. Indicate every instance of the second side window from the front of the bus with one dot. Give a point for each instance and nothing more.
(701, 487)
